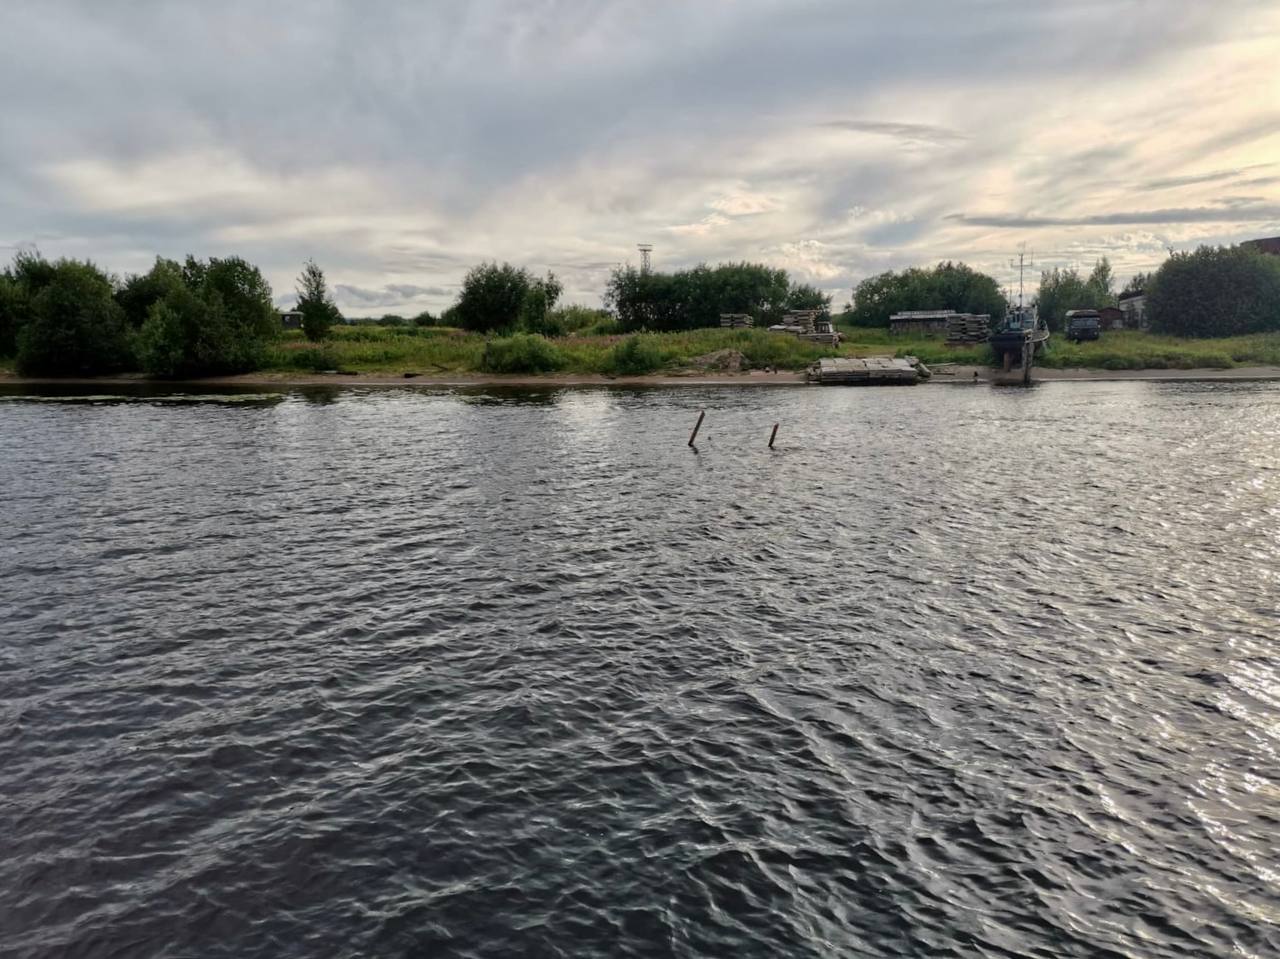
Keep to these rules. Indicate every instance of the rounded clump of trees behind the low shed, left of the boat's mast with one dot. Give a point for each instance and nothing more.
(949, 286)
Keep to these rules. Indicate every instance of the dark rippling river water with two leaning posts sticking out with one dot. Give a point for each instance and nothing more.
(954, 672)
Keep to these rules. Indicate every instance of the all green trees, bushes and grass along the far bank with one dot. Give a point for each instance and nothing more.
(200, 321)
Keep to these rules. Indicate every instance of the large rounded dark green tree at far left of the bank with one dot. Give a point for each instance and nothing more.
(74, 325)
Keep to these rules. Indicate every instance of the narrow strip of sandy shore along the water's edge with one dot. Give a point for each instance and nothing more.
(756, 378)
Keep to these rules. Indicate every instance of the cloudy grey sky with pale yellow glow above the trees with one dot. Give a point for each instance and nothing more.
(400, 144)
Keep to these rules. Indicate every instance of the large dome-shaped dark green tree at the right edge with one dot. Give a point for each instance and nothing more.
(1217, 293)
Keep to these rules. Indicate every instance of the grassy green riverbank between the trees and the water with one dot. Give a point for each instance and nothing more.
(446, 357)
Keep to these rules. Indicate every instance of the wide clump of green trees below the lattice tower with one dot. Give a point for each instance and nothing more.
(697, 298)
